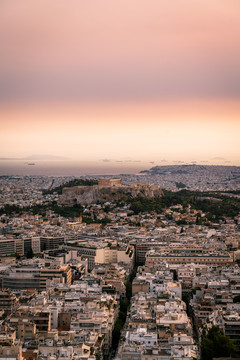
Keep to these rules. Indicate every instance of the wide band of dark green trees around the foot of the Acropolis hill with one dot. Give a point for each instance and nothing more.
(215, 205)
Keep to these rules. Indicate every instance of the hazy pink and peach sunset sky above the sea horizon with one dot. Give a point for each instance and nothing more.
(102, 80)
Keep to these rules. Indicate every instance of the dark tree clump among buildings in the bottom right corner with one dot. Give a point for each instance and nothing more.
(216, 344)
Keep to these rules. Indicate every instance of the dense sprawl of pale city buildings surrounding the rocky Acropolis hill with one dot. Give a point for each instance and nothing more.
(102, 267)
